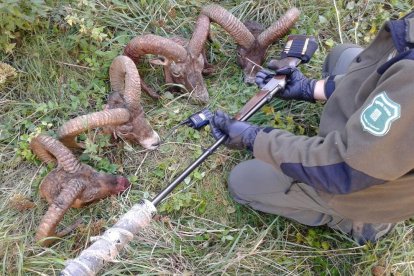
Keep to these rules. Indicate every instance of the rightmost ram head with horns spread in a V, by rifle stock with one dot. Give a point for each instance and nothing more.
(251, 37)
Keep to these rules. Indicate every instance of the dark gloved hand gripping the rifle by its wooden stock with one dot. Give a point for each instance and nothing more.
(298, 87)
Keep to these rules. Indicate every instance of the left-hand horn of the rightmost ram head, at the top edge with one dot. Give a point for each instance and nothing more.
(230, 23)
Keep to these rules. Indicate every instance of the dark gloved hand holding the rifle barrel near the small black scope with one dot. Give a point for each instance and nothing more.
(240, 134)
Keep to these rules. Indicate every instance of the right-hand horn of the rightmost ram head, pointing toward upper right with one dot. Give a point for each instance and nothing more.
(279, 28)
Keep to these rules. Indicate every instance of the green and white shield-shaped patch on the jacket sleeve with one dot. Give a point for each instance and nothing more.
(378, 116)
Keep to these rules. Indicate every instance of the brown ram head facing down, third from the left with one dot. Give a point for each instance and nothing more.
(183, 61)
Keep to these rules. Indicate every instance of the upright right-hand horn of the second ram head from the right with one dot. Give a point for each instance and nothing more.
(197, 41)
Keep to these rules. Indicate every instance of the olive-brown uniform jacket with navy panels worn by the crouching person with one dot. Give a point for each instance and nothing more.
(361, 163)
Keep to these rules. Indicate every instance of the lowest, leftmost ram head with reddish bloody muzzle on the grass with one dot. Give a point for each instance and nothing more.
(70, 184)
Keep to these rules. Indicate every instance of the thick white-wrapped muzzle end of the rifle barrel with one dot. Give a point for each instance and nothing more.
(107, 247)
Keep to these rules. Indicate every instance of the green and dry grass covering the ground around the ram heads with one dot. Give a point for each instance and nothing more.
(63, 72)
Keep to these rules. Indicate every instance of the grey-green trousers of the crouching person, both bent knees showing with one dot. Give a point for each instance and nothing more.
(264, 188)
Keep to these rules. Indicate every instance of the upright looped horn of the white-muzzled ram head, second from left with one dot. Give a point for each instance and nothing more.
(124, 79)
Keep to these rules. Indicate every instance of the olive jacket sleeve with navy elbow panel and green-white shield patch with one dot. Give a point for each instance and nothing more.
(359, 155)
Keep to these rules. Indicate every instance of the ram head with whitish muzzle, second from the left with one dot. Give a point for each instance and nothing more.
(123, 116)
